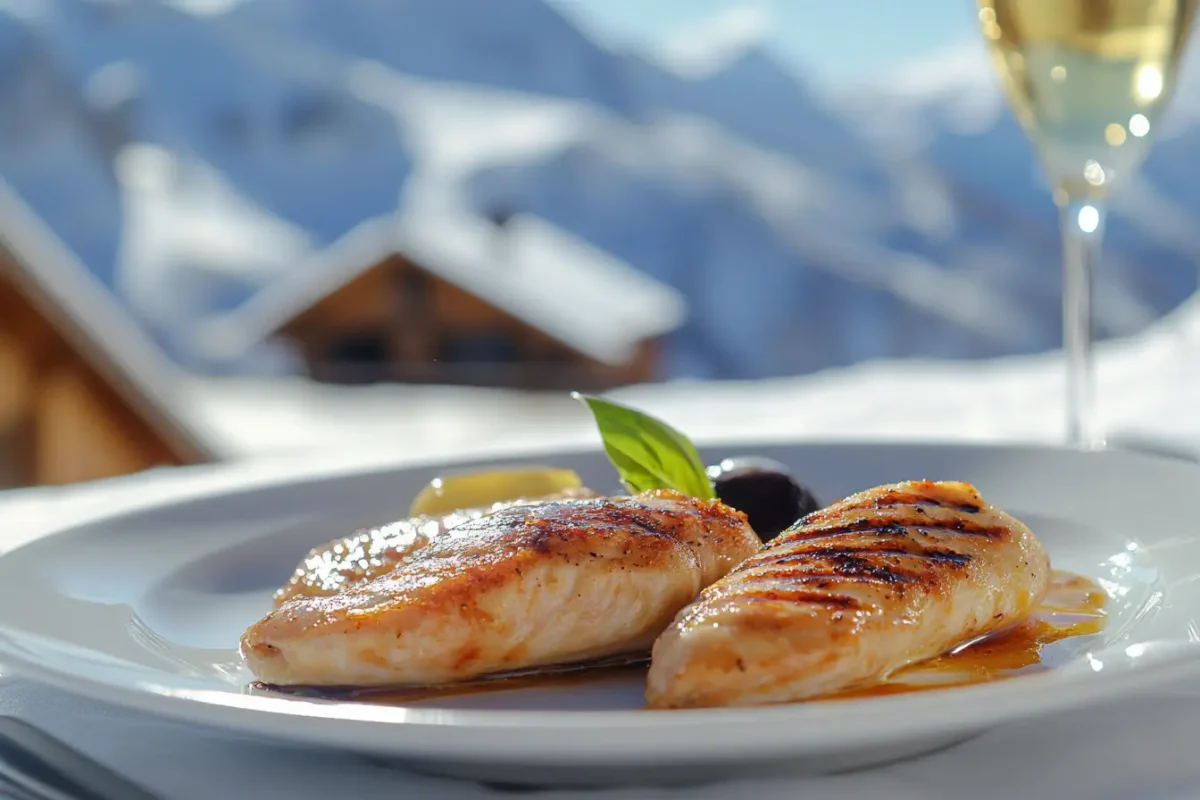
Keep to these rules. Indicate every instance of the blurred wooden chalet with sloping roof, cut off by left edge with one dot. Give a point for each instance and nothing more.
(76, 404)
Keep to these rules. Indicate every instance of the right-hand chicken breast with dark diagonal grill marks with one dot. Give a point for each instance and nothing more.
(885, 579)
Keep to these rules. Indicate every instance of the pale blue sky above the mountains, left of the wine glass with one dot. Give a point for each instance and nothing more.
(833, 39)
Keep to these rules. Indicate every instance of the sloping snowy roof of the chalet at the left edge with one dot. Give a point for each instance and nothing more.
(89, 316)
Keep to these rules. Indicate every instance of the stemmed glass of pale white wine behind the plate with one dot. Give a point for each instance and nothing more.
(1089, 81)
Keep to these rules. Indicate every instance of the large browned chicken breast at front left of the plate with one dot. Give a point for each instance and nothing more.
(526, 587)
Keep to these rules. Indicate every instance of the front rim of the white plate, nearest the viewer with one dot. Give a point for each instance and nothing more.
(627, 733)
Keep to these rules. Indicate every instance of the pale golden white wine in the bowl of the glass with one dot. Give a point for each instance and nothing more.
(1088, 79)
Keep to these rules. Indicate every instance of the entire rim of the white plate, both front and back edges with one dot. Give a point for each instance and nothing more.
(921, 713)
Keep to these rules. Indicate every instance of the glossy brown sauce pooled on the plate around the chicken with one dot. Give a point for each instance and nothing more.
(1073, 607)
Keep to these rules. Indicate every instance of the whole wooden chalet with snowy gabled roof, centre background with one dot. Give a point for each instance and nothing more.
(453, 298)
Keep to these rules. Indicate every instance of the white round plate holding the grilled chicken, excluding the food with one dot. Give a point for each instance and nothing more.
(145, 610)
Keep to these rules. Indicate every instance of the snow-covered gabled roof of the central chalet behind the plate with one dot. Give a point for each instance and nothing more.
(551, 280)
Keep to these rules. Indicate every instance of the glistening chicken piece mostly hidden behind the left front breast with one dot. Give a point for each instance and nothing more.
(367, 555)
